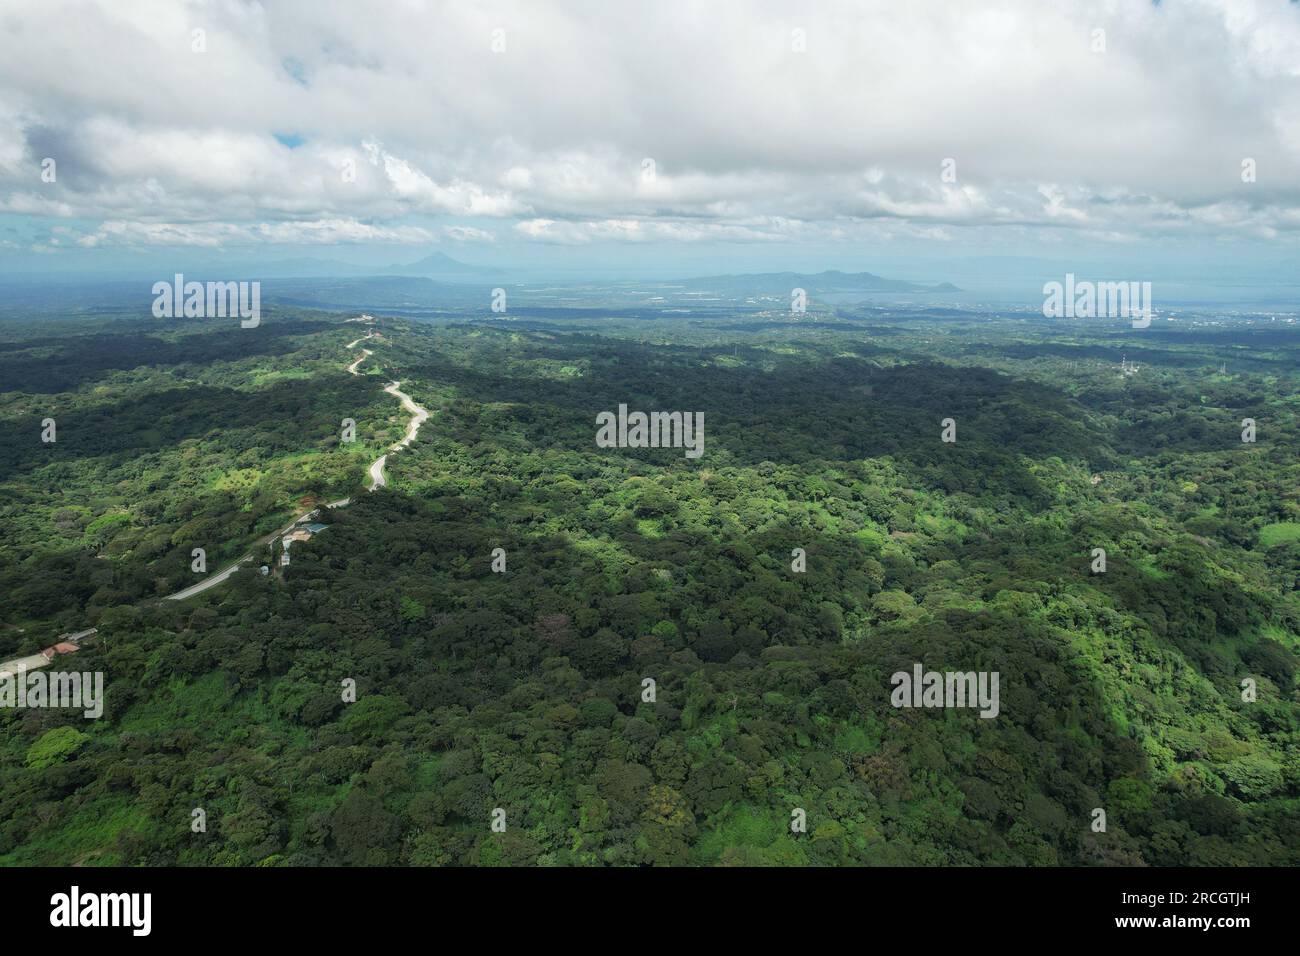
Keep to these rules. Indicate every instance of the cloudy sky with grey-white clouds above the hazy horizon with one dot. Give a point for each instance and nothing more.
(915, 140)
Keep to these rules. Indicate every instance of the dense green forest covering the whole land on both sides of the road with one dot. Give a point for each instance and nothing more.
(501, 607)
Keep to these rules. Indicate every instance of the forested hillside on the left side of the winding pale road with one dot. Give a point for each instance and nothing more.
(167, 443)
